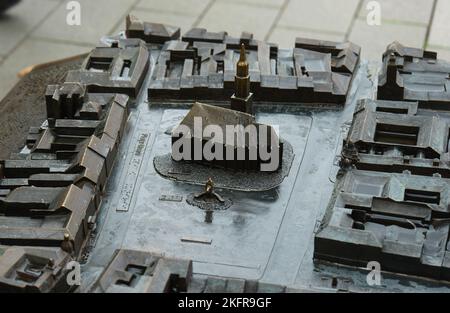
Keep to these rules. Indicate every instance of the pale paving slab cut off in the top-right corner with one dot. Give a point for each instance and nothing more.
(440, 29)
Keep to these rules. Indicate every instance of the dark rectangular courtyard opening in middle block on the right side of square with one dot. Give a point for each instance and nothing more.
(397, 134)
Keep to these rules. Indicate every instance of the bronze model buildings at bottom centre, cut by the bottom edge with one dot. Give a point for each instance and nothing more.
(146, 272)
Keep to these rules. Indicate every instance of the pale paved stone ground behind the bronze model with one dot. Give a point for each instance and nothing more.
(36, 31)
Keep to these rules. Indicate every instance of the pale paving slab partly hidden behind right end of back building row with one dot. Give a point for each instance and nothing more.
(285, 37)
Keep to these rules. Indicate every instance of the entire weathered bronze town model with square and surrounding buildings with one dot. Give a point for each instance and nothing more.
(390, 202)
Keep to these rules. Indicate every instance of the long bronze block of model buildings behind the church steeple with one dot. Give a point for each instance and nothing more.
(201, 66)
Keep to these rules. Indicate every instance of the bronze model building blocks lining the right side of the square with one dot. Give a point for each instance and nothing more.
(391, 201)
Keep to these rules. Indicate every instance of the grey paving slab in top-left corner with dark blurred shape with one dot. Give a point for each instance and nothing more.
(20, 20)
